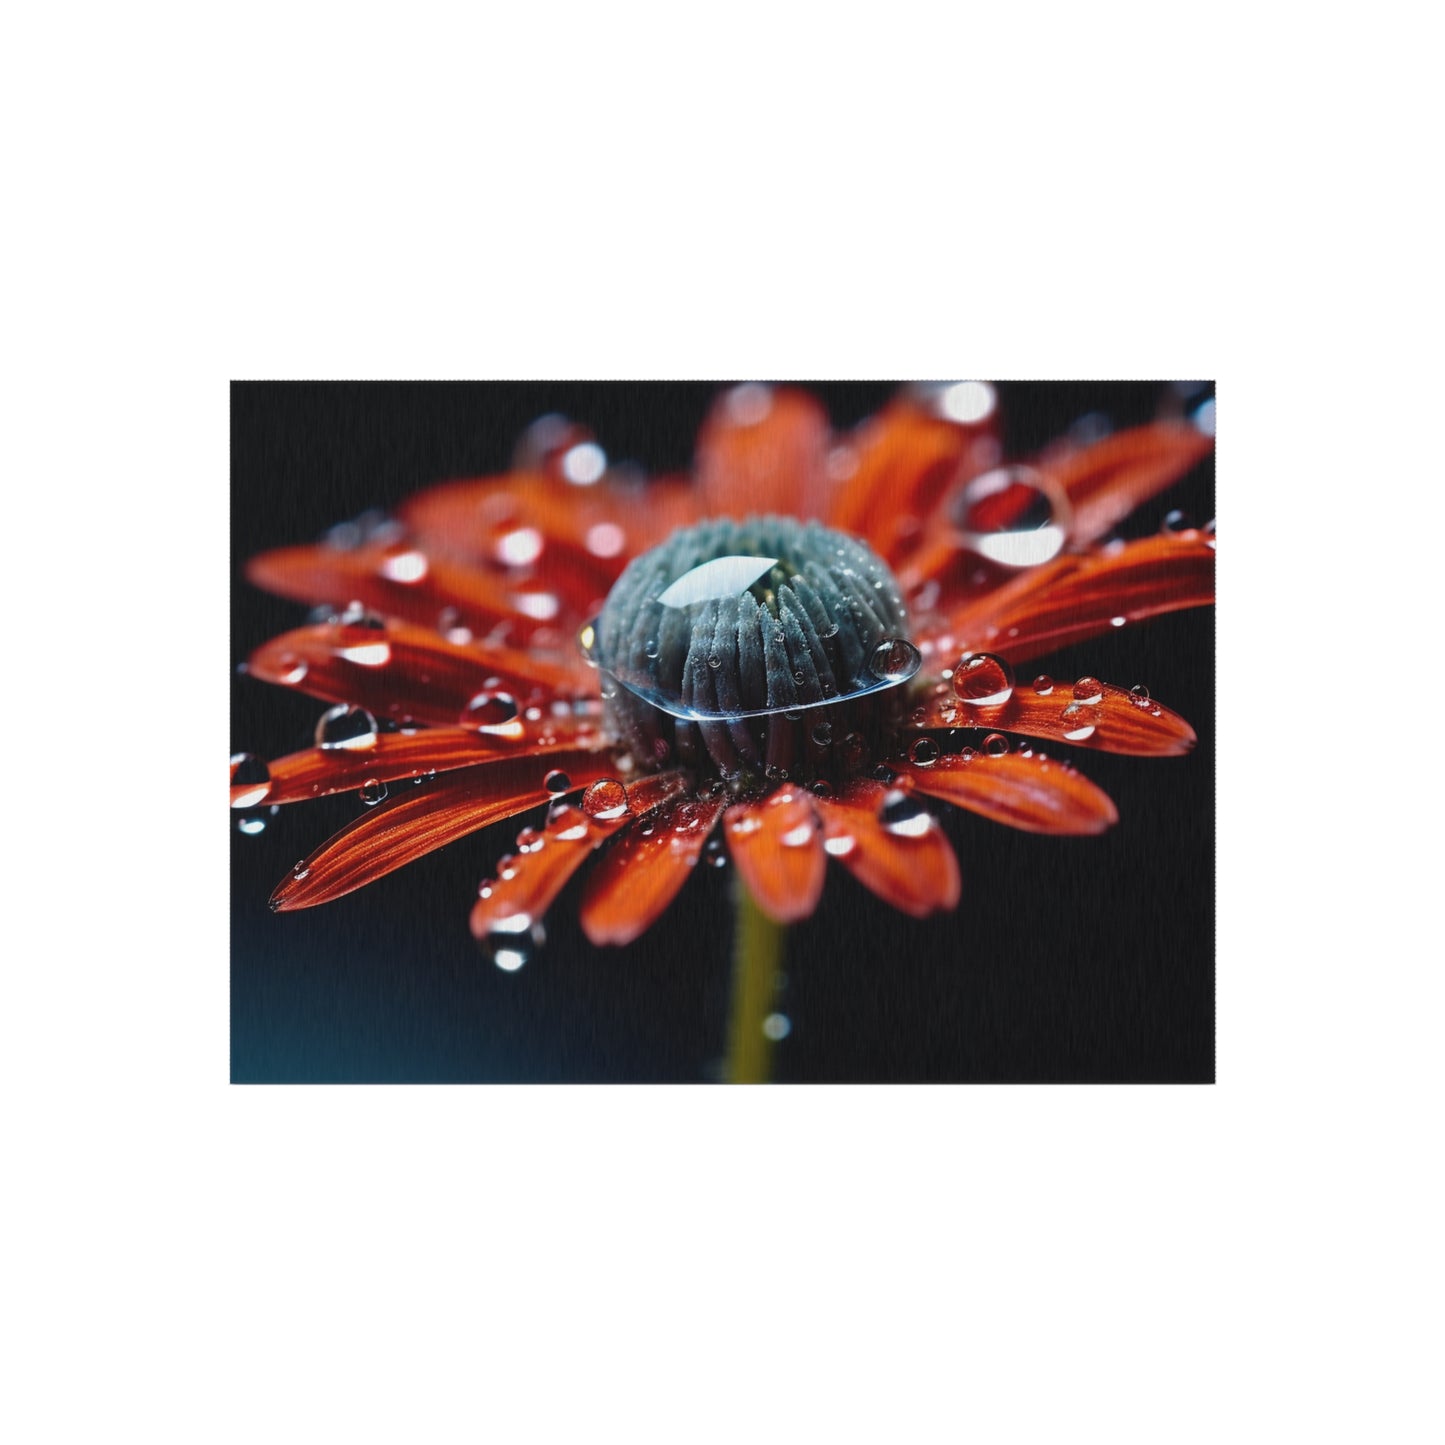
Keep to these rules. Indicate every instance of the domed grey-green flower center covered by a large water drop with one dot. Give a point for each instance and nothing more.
(767, 648)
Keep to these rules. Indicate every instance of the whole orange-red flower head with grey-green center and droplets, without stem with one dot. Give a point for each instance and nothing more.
(463, 697)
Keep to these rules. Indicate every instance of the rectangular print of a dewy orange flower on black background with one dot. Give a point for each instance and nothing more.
(723, 733)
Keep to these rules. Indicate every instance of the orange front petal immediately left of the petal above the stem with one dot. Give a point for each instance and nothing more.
(641, 875)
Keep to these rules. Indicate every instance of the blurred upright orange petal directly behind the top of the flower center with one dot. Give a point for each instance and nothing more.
(764, 452)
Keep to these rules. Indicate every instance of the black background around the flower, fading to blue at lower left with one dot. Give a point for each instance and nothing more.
(1069, 960)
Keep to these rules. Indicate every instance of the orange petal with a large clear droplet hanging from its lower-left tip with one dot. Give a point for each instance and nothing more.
(535, 878)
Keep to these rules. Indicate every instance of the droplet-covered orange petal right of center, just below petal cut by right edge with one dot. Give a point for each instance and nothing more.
(1119, 722)
